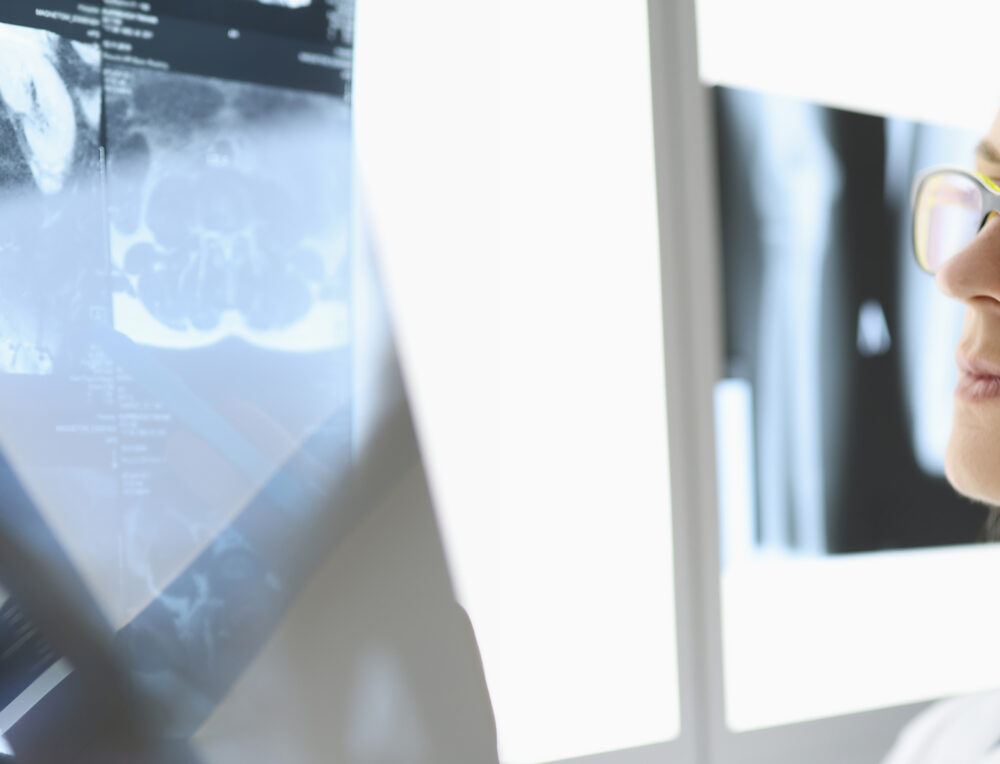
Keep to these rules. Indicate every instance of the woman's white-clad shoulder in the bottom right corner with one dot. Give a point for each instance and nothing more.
(959, 730)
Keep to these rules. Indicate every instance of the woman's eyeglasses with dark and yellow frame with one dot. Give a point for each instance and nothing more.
(950, 205)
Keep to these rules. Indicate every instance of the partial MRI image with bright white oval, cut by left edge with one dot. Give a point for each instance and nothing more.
(51, 239)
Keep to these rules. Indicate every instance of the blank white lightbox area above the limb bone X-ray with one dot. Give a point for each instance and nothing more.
(916, 59)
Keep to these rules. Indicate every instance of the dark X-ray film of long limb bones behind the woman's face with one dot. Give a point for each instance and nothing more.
(836, 352)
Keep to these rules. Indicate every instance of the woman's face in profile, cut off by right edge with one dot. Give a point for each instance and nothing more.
(972, 461)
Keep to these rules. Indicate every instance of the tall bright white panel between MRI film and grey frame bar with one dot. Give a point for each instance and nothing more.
(507, 156)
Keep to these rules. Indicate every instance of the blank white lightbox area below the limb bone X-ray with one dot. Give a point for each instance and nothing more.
(818, 637)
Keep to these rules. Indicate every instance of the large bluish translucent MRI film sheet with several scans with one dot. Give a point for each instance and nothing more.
(175, 355)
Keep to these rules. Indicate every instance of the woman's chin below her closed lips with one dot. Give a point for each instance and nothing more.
(972, 461)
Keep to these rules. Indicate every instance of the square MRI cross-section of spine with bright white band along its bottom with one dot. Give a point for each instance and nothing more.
(228, 207)
